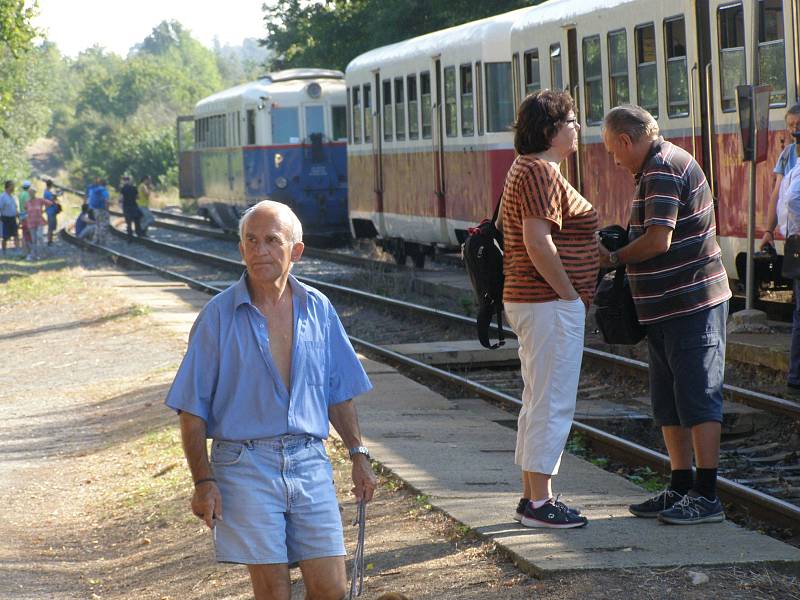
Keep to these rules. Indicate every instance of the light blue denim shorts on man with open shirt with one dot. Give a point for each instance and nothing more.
(278, 501)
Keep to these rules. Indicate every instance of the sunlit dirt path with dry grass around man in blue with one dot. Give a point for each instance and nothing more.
(95, 490)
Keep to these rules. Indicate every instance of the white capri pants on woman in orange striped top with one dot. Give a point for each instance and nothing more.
(550, 352)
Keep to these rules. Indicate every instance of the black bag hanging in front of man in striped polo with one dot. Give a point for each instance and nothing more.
(615, 311)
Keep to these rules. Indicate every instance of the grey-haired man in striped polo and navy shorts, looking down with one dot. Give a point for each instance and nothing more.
(680, 289)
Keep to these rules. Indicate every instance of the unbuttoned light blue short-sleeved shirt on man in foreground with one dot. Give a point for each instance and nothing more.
(228, 377)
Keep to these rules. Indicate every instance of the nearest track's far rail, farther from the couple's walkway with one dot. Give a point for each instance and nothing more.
(759, 400)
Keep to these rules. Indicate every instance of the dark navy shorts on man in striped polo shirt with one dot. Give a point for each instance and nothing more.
(687, 367)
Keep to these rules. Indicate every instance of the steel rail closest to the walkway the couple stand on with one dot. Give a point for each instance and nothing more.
(763, 505)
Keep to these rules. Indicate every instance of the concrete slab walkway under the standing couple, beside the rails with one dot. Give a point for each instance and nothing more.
(458, 454)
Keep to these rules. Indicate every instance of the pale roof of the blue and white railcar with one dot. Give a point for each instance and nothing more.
(281, 84)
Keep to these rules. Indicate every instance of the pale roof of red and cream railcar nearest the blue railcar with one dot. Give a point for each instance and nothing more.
(486, 32)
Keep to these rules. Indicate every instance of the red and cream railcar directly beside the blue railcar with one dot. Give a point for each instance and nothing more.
(429, 140)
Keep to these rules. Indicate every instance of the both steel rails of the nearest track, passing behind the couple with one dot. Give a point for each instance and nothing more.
(777, 511)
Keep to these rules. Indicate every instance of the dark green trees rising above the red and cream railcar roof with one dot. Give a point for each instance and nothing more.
(330, 33)
